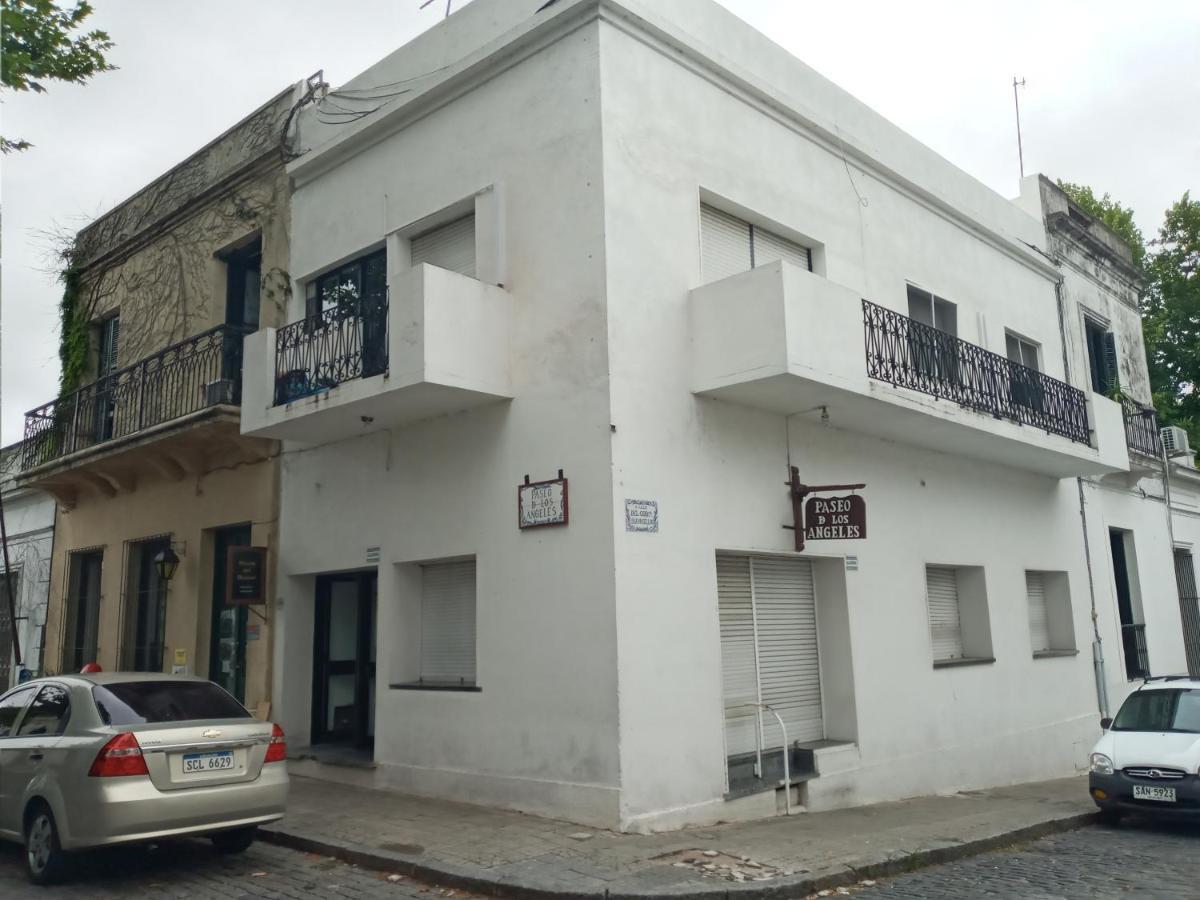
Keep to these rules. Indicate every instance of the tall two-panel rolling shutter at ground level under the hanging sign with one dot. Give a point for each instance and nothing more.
(769, 651)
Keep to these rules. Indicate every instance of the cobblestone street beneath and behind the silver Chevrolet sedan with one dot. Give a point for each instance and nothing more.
(191, 869)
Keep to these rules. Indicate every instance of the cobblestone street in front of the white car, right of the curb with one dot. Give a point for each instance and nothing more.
(1139, 860)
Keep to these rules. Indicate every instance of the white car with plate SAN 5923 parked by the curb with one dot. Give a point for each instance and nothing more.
(1149, 759)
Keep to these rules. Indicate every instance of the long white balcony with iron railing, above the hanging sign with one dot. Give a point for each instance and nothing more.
(785, 340)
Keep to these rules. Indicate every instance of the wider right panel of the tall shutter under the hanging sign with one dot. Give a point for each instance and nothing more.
(789, 667)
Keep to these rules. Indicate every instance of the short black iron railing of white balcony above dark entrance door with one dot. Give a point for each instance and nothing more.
(332, 347)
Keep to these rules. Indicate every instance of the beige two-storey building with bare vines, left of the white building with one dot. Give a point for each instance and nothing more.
(143, 449)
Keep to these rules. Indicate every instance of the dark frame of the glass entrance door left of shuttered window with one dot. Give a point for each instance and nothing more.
(363, 668)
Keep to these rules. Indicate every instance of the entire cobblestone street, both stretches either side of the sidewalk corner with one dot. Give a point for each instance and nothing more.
(1139, 860)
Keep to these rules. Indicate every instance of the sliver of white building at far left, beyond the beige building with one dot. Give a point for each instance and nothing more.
(29, 525)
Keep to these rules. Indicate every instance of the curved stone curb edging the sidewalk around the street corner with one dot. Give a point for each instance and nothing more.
(447, 875)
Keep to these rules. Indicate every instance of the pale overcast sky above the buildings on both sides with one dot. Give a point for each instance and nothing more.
(1112, 100)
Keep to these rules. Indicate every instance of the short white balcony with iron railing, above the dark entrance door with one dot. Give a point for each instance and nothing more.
(437, 345)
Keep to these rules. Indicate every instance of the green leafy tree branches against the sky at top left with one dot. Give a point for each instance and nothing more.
(38, 45)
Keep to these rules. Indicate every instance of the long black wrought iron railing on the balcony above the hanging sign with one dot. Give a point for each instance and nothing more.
(907, 353)
